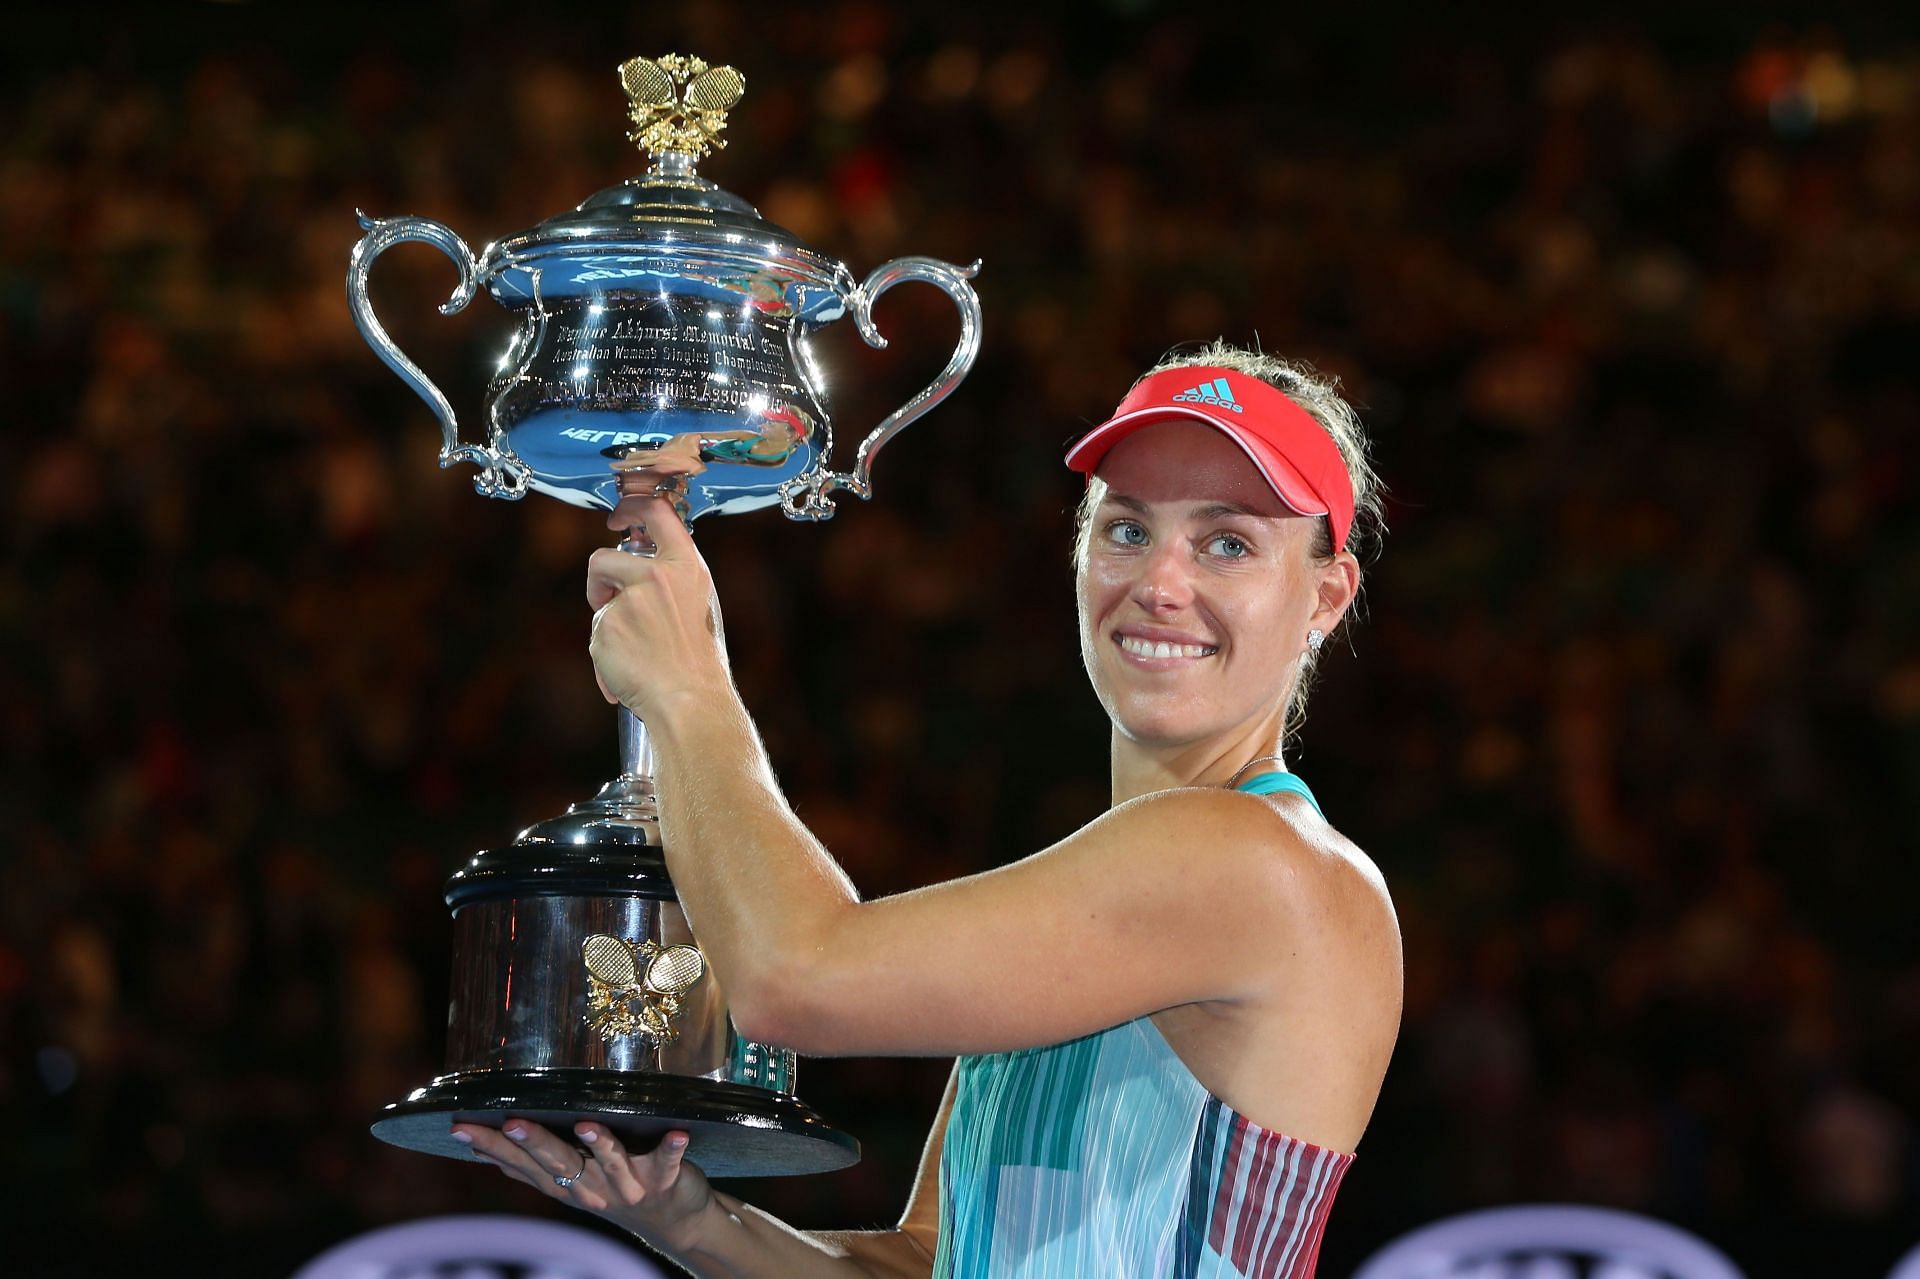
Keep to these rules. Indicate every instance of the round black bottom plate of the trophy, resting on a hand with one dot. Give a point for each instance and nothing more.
(736, 1132)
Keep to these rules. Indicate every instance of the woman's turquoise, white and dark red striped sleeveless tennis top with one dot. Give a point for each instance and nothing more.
(1105, 1157)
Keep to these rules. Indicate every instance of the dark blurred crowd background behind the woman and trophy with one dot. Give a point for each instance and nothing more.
(1633, 308)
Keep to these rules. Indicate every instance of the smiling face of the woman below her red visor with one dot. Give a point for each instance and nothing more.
(1193, 550)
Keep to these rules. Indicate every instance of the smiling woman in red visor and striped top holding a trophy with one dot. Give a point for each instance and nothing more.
(1174, 1025)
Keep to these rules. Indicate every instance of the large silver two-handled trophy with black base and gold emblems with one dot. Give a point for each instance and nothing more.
(663, 329)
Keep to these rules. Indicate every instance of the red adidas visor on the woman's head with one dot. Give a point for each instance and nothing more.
(1293, 452)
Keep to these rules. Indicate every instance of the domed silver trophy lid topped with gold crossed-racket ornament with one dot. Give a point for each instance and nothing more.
(679, 110)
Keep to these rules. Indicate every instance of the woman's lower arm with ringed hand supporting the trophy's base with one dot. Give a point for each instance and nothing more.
(671, 1207)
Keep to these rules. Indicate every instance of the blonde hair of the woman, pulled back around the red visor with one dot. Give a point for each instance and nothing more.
(1320, 397)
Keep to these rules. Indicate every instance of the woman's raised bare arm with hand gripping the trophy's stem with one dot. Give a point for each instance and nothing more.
(1170, 900)
